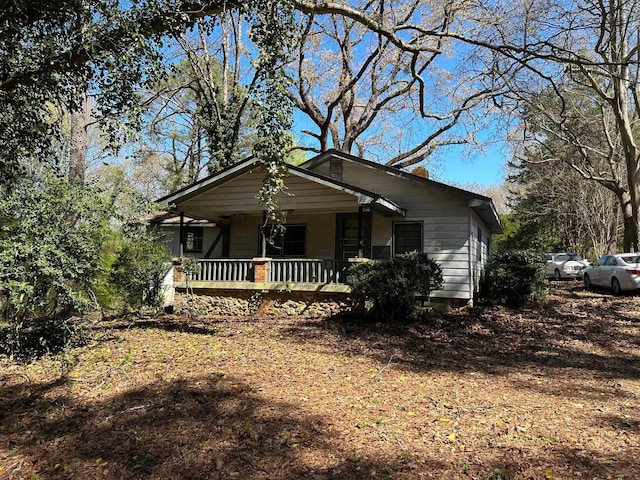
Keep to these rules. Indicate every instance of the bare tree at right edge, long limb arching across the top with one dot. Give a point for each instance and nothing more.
(594, 44)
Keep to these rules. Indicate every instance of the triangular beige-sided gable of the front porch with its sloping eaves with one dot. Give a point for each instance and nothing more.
(233, 192)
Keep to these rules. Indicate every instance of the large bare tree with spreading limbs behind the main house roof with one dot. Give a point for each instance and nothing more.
(363, 91)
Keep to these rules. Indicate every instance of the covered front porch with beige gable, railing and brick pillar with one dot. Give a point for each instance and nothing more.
(328, 226)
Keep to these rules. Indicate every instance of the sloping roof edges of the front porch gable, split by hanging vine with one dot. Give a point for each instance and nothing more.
(364, 197)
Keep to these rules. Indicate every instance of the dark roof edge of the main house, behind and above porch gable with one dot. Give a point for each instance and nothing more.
(481, 204)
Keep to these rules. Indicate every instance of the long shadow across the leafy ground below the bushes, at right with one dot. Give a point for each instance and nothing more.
(582, 331)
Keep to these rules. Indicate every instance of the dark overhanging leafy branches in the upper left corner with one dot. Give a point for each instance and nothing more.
(50, 52)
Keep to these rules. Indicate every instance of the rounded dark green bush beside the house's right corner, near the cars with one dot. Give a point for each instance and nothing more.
(513, 278)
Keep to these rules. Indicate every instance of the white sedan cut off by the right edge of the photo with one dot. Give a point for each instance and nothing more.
(618, 272)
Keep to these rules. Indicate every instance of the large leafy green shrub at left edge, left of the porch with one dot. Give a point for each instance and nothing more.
(49, 256)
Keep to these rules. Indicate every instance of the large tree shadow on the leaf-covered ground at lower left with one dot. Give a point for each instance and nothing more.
(208, 428)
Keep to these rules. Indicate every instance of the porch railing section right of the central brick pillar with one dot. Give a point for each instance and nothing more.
(305, 270)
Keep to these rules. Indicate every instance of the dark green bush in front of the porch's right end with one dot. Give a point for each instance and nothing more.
(393, 287)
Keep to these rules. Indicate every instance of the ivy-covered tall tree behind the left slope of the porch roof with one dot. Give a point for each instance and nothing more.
(198, 116)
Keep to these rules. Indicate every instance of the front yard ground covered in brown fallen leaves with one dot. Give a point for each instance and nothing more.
(487, 393)
